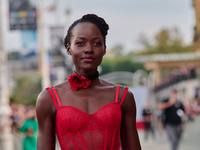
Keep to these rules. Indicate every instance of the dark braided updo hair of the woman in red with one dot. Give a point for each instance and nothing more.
(92, 18)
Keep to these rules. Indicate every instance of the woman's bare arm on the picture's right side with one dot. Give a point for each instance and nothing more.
(129, 134)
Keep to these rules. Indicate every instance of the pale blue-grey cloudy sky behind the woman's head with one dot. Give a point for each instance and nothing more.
(127, 19)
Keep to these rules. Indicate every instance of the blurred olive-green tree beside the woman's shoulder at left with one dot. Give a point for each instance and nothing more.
(26, 90)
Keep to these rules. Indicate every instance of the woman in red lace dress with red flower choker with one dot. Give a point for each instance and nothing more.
(87, 112)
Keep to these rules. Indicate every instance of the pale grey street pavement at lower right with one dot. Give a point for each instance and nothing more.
(190, 138)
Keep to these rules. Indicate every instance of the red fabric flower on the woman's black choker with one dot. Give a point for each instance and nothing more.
(77, 81)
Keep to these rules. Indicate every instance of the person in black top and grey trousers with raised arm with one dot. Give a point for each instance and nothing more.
(174, 111)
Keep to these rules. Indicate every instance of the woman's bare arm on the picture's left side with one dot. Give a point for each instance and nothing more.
(46, 129)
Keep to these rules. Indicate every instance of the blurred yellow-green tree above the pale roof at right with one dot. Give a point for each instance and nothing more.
(165, 41)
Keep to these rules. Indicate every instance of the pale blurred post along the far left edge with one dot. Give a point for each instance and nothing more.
(6, 139)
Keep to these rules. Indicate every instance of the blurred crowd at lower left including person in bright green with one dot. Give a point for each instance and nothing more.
(23, 126)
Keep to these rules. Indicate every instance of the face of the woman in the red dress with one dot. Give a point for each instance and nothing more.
(87, 47)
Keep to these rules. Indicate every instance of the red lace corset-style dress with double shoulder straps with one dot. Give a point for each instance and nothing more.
(77, 130)
